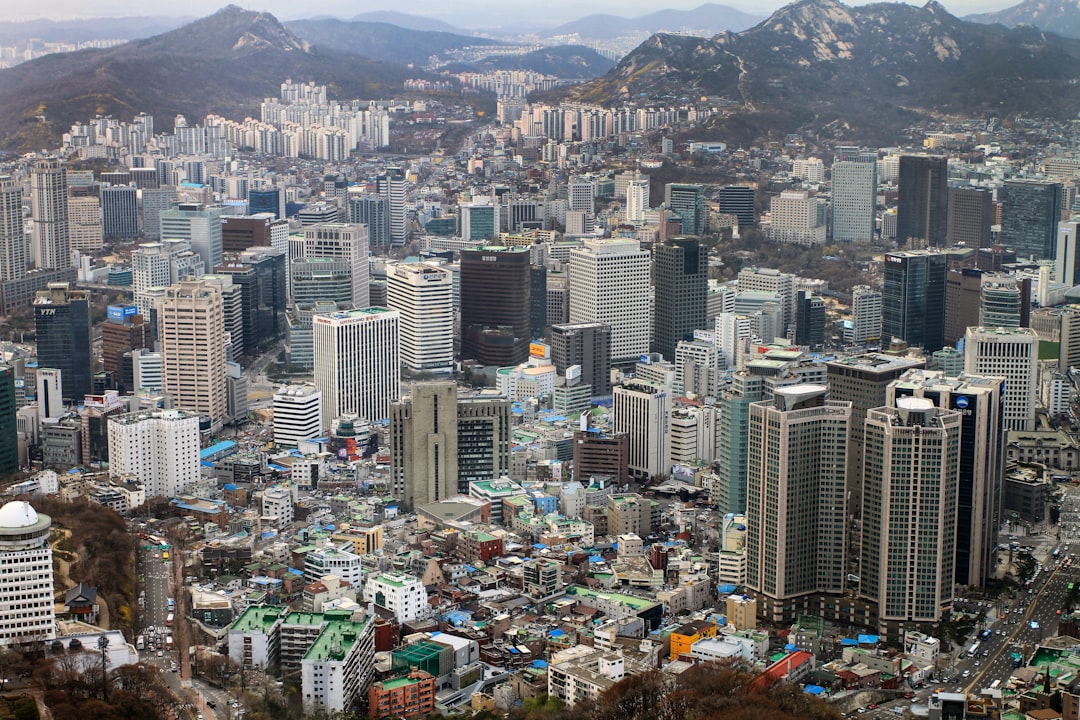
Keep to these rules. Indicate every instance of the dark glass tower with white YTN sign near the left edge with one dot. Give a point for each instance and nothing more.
(62, 321)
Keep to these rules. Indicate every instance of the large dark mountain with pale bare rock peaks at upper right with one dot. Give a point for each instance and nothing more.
(858, 74)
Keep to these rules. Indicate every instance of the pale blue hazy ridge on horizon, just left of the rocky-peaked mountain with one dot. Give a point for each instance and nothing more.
(706, 20)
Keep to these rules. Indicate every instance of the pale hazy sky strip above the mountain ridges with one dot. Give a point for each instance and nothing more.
(466, 13)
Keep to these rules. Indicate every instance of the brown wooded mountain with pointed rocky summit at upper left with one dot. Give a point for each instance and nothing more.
(225, 64)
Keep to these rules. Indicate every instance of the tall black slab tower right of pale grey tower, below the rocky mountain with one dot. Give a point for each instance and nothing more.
(923, 209)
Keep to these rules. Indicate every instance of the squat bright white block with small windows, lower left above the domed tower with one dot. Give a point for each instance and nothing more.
(159, 447)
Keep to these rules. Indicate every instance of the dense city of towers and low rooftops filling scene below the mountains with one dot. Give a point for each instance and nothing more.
(482, 400)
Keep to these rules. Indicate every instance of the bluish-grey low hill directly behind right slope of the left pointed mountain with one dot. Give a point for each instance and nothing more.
(382, 42)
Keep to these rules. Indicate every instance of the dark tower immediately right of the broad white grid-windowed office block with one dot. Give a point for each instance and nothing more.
(681, 279)
